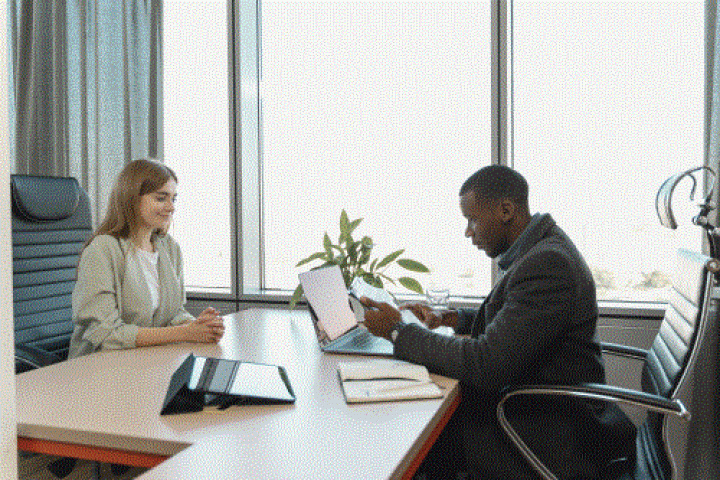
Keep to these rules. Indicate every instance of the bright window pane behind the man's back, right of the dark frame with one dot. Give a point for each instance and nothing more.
(610, 94)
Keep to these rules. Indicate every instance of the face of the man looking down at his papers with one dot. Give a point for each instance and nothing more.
(486, 225)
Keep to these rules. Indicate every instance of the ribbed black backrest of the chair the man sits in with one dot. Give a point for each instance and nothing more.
(672, 354)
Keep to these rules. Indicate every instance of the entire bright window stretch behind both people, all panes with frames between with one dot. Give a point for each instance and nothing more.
(383, 108)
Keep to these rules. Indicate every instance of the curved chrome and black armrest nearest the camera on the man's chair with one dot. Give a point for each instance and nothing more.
(590, 391)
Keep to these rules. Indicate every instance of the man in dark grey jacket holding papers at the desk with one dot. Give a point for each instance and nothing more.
(535, 326)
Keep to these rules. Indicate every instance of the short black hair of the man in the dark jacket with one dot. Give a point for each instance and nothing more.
(497, 182)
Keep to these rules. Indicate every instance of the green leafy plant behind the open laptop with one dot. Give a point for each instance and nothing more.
(354, 259)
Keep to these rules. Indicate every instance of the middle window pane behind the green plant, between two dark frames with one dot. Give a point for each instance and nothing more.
(379, 108)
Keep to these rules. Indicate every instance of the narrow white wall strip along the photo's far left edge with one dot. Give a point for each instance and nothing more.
(8, 434)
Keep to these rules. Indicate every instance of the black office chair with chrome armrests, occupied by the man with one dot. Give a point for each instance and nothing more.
(684, 332)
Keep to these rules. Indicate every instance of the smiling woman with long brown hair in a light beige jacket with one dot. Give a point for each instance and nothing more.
(129, 291)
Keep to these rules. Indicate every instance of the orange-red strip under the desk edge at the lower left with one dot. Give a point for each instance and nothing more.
(85, 452)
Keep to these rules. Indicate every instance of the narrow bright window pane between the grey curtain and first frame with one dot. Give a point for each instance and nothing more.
(197, 137)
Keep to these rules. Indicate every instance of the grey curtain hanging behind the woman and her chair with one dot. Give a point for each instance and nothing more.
(86, 88)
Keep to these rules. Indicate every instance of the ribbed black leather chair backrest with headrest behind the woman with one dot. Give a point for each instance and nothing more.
(50, 223)
